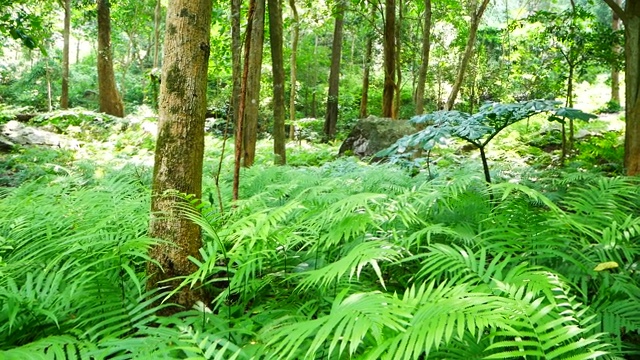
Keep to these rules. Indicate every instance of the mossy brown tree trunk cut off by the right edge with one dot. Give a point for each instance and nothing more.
(630, 17)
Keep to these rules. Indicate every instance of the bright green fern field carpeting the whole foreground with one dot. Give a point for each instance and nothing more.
(342, 261)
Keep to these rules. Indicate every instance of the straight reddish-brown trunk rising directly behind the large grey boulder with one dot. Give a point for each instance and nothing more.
(389, 46)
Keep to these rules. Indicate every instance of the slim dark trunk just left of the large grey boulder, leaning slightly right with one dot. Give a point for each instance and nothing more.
(331, 119)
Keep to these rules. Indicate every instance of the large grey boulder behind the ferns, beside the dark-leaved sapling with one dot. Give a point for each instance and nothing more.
(373, 134)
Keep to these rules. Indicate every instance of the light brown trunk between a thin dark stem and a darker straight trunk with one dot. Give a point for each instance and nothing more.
(252, 105)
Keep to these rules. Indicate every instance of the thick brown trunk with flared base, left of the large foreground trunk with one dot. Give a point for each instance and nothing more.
(110, 101)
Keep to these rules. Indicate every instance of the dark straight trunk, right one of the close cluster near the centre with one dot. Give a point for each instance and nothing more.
(277, 62)
